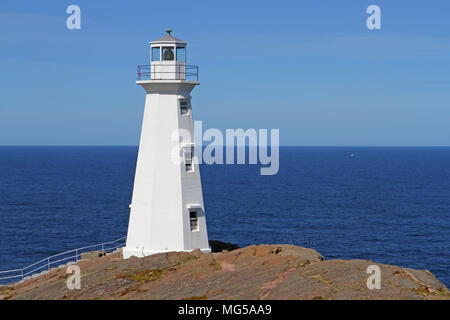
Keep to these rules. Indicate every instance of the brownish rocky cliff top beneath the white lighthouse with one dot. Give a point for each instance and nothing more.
(254, 272)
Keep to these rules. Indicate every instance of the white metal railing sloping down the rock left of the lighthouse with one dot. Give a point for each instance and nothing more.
(59, 260)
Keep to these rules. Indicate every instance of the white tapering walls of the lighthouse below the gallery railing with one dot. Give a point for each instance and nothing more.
(163, 190)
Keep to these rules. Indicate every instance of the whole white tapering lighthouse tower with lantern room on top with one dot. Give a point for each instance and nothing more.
(167, 211)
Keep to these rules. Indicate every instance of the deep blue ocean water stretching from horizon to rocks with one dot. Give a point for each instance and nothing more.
(390, 205)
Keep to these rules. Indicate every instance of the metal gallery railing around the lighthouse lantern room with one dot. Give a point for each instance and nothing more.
(167, 72)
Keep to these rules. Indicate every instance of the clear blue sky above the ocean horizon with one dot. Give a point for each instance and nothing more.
(310, 68)
